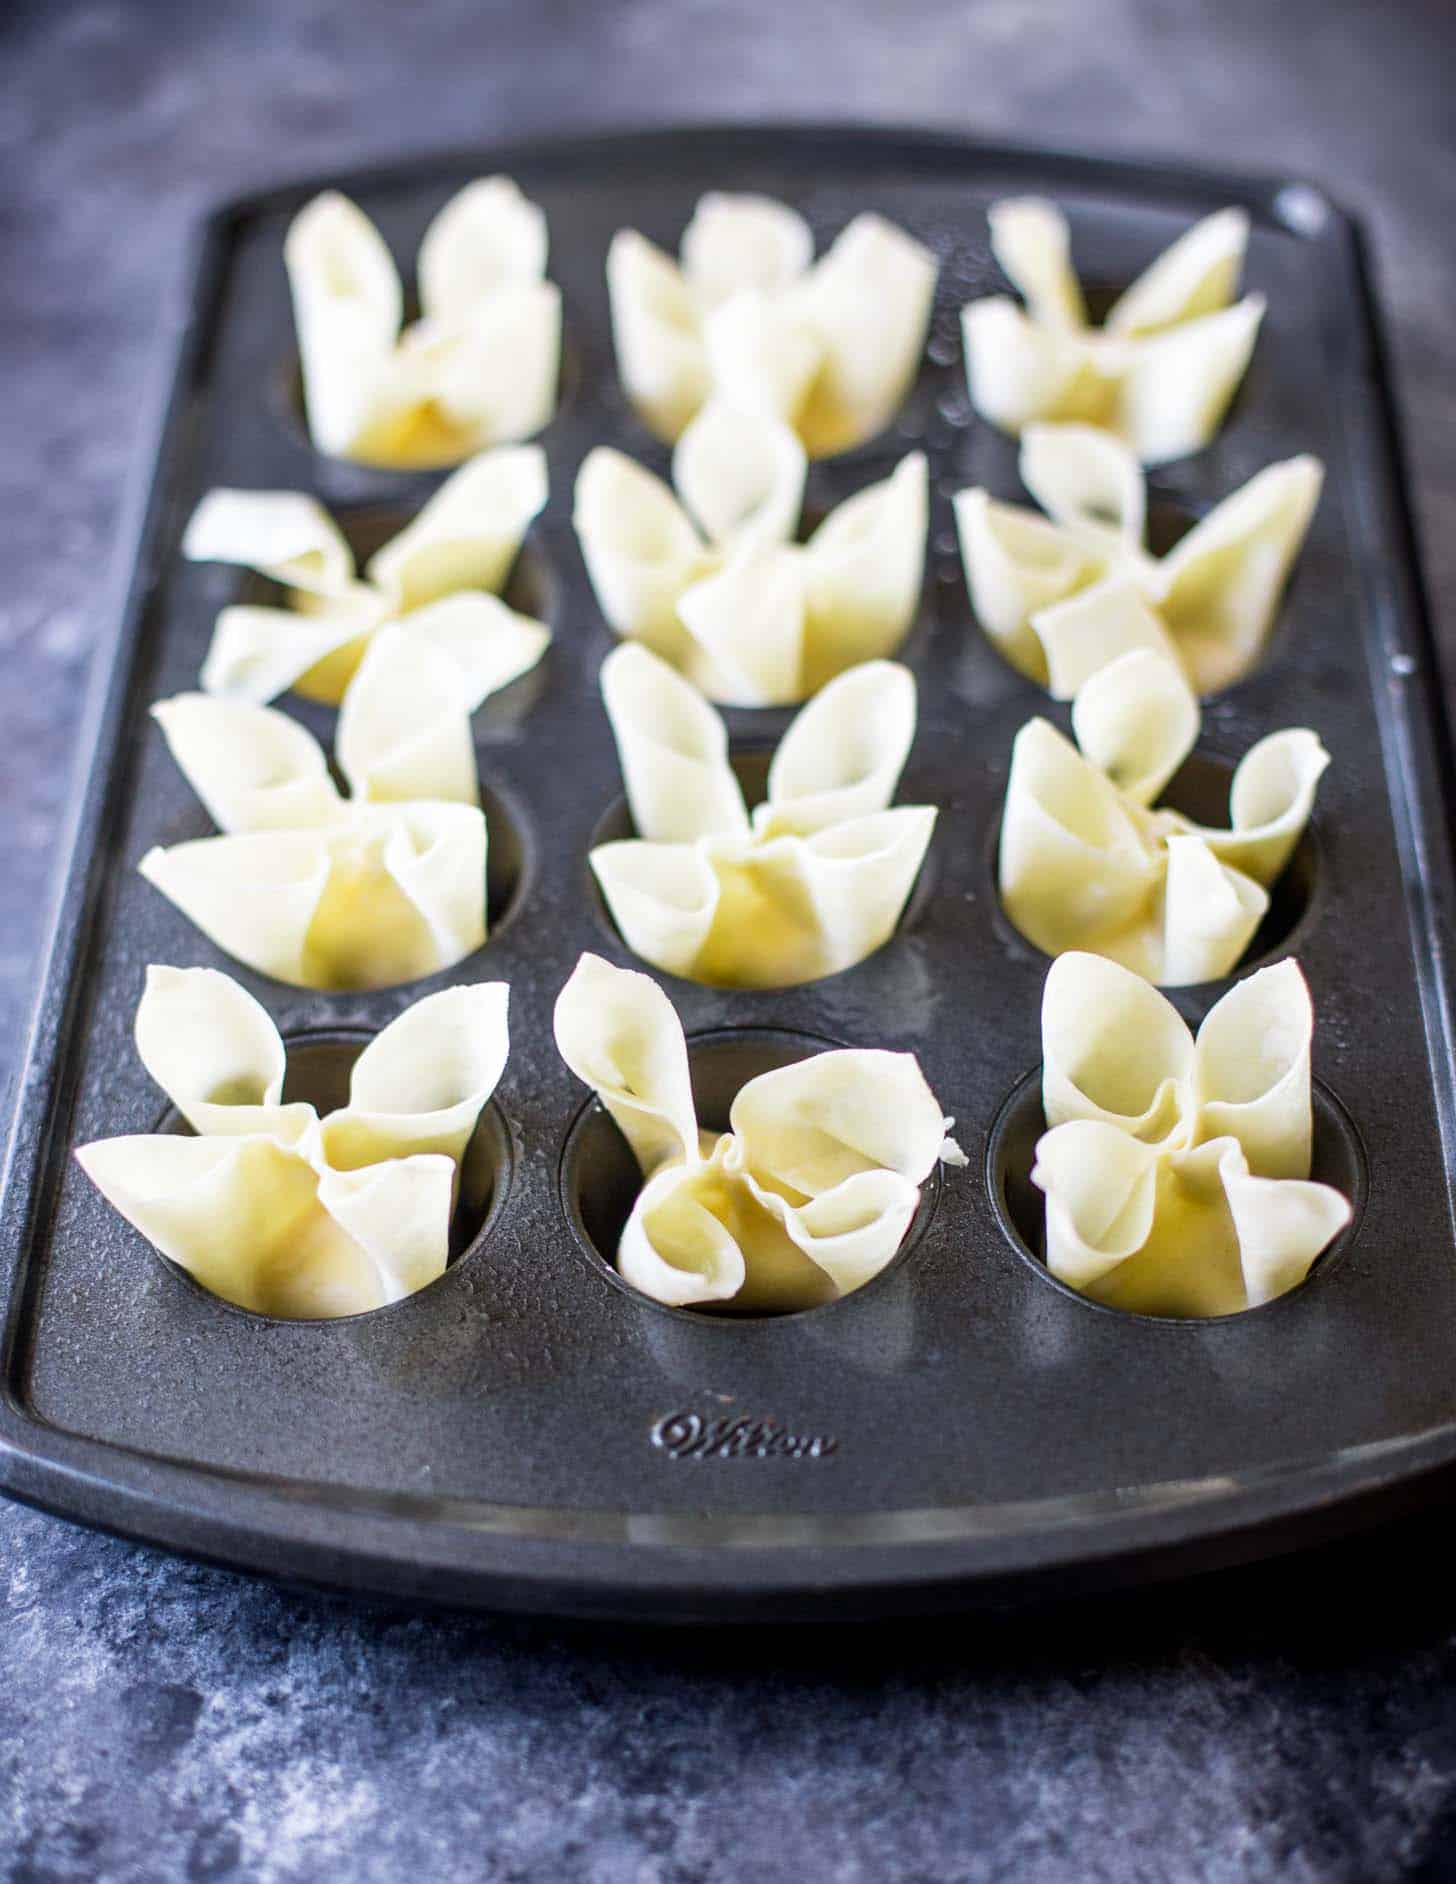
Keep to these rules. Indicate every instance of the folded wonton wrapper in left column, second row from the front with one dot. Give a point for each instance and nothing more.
(315, 888)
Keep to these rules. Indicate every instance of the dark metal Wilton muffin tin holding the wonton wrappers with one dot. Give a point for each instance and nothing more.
(532, 1435)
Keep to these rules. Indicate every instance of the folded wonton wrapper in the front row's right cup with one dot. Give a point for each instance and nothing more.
(1176, 1171)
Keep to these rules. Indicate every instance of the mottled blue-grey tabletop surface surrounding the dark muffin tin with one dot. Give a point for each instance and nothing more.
(161, 1721)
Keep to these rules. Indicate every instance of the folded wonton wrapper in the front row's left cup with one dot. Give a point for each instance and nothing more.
(272, 1207)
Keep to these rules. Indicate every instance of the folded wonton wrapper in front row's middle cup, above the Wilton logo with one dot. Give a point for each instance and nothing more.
(805, 1197)
